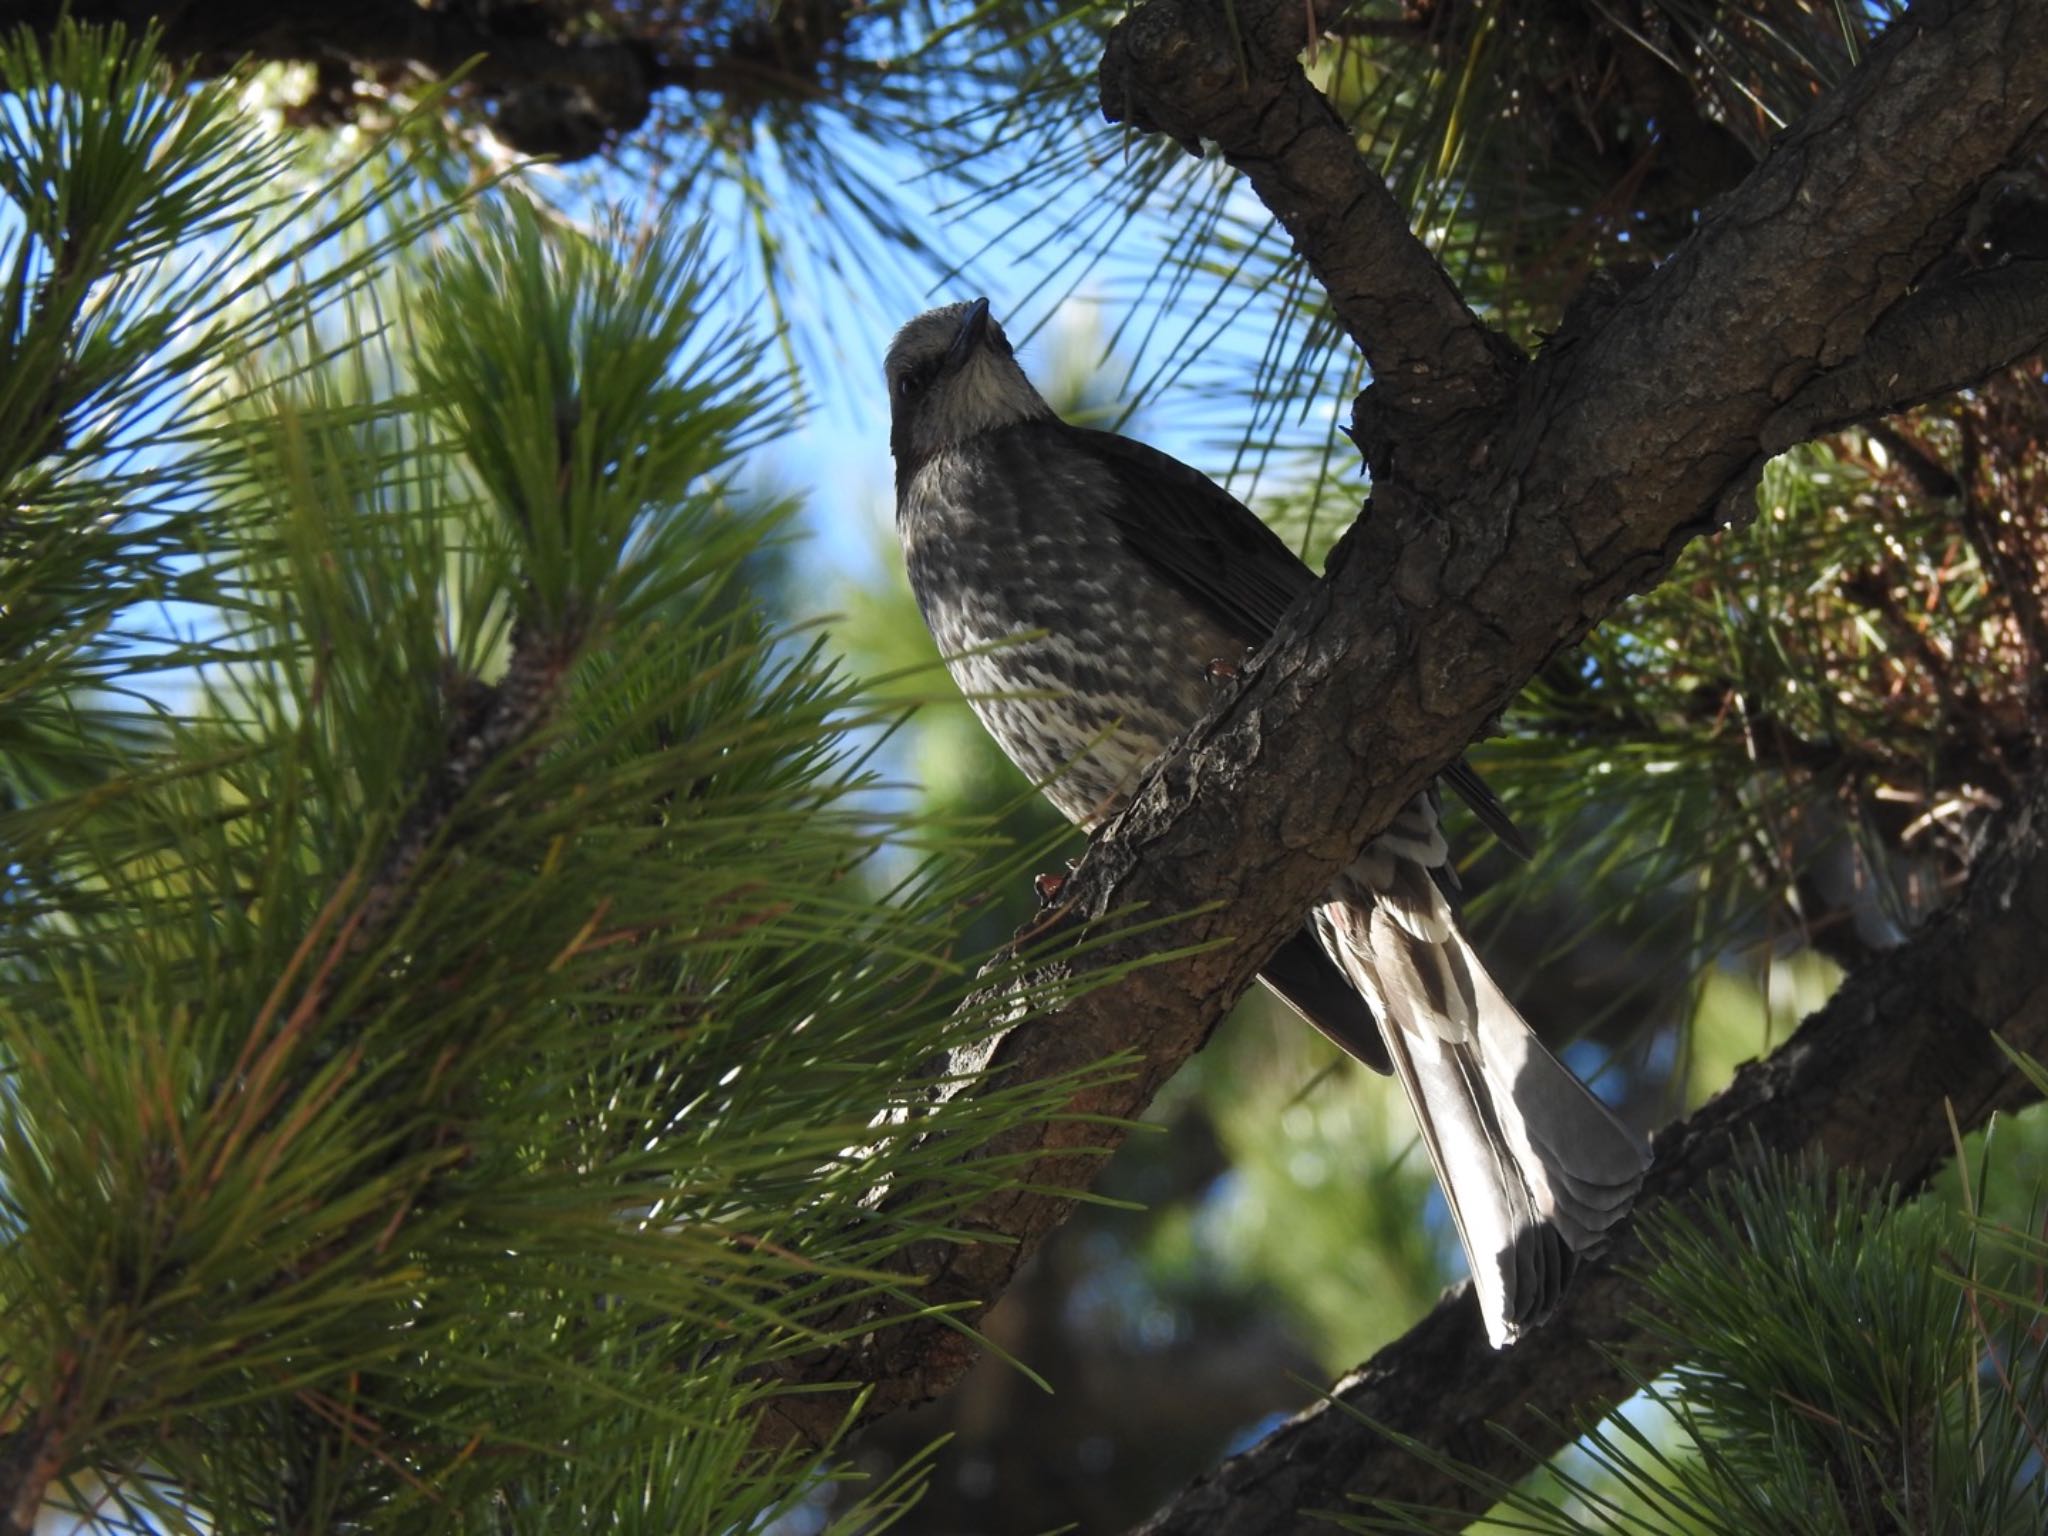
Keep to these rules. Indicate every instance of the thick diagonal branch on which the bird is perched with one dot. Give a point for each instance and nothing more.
(1484, 556)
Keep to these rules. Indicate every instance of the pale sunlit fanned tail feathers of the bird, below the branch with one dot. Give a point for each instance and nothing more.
(1535, 1168)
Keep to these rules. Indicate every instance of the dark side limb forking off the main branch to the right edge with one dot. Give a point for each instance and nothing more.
(1928, 345)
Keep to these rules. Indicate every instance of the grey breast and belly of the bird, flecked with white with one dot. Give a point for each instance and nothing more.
(1009, 536)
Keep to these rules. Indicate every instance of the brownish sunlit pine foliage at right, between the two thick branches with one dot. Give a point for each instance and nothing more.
(1811, 724)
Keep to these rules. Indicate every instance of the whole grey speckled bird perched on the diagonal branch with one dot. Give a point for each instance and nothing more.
(1084, 589)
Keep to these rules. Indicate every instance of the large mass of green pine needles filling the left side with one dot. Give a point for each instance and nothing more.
(454, 1043)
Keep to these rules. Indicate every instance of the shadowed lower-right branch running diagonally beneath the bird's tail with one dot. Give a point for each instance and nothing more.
(1865, 1082)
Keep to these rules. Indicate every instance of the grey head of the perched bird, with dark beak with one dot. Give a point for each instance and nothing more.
(951, 378)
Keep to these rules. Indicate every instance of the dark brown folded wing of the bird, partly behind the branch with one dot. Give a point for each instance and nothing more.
(1218, 552)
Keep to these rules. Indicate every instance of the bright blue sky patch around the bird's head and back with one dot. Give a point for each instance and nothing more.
(1064, 306)
